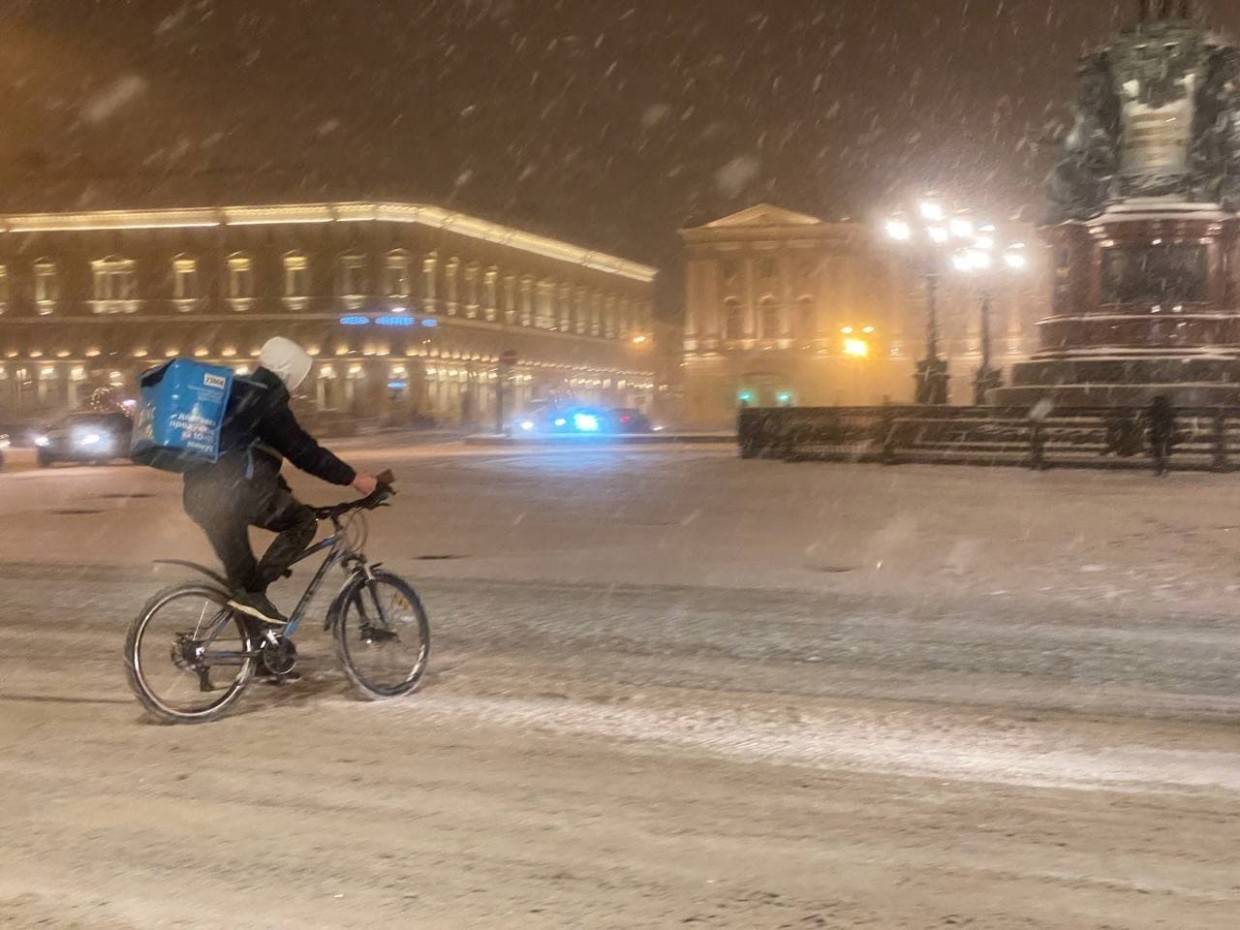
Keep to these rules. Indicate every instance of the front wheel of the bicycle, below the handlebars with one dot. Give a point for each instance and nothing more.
(383, 637)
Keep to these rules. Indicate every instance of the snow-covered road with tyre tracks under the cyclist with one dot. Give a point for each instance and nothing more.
(669, 689)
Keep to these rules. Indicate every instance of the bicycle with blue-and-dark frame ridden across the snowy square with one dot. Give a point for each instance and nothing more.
(376, 618)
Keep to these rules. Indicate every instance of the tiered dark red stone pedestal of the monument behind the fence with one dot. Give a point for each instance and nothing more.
(1145, 304)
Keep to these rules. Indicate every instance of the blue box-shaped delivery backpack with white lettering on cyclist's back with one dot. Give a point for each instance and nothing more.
(179, 417)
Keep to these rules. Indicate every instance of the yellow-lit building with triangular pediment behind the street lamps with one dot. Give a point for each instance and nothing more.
(786, 309)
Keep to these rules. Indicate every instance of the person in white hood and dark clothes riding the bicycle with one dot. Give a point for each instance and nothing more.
(245, 488)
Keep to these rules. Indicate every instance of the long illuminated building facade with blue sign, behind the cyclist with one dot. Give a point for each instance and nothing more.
(407, 308)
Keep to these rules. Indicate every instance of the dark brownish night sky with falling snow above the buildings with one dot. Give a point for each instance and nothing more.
(608, 122)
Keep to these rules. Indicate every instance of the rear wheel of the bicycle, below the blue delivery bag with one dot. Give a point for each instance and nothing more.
(188, 655)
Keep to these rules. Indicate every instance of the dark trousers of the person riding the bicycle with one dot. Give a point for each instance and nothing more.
(228, 510)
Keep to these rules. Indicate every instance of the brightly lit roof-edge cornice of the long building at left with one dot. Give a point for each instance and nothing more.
(344, 213)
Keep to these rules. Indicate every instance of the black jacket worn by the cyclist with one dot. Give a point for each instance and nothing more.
(260, 432)
